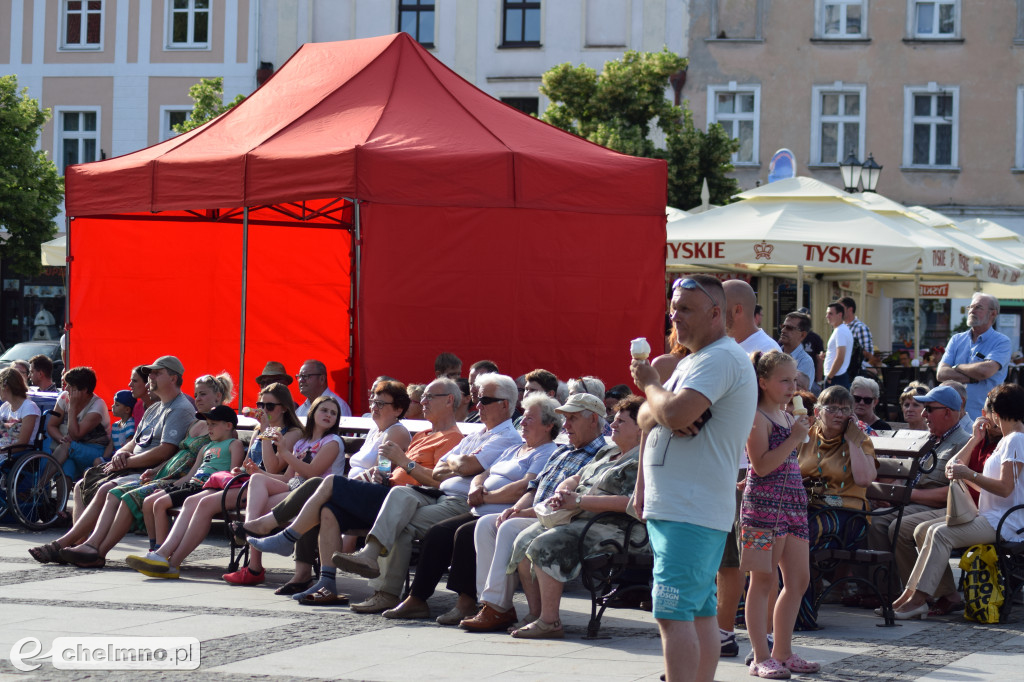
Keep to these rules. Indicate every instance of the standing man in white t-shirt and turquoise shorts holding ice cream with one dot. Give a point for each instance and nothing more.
(687, 490)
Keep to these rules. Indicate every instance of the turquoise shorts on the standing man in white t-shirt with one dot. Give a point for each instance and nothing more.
(687, 561)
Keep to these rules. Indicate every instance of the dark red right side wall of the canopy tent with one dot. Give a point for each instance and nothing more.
(527, 289)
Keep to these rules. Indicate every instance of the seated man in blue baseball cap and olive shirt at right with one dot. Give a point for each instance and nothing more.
(928, 500)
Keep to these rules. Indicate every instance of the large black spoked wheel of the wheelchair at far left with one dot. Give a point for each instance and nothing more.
(37, 491)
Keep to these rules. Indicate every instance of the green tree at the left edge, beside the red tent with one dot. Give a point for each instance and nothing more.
(31, 189)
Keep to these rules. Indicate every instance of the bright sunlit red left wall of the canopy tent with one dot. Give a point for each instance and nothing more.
(145, 287)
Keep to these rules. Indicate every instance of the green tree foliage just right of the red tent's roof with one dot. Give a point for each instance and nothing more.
(624, 108)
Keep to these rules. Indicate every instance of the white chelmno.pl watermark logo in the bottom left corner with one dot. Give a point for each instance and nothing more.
(109, 654)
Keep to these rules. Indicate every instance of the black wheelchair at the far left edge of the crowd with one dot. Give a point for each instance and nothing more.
(33, 486)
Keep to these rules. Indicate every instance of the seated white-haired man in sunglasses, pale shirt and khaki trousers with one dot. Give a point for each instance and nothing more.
(408, 514)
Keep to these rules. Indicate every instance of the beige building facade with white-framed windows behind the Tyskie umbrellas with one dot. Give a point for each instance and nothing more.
(932, 90)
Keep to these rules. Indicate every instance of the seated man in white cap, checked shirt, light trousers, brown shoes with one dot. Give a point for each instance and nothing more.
(496, 534)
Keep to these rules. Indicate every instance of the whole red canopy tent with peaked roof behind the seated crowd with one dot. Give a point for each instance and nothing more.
(369, 208)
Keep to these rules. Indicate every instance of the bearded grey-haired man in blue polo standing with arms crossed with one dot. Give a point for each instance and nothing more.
(977, 358)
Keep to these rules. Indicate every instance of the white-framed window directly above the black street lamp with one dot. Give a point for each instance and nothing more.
(838, 115)
